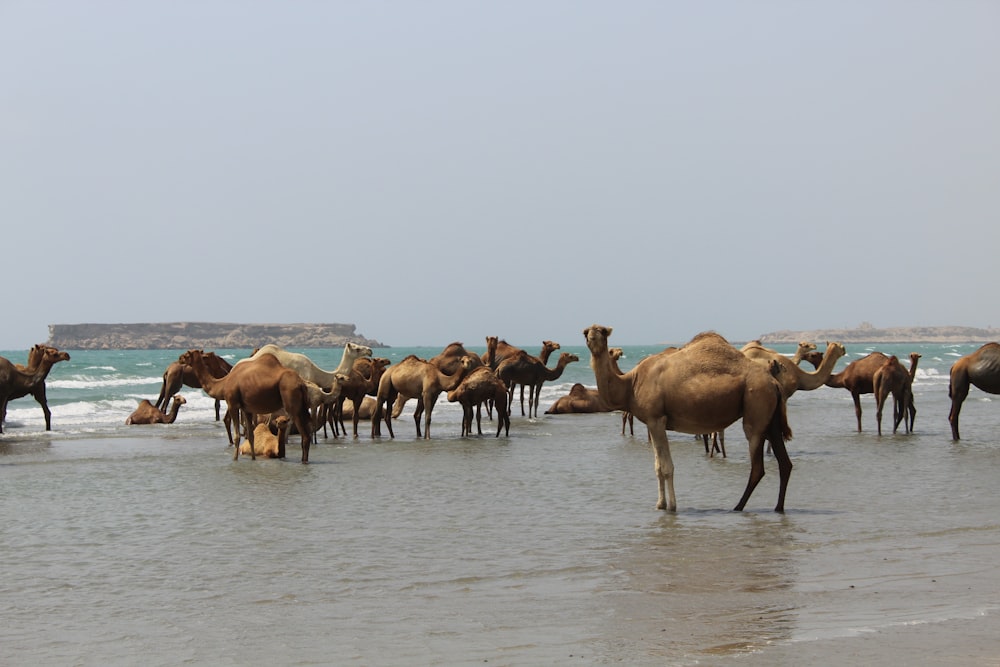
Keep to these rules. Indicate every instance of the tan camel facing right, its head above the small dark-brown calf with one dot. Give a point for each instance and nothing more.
(414, 378)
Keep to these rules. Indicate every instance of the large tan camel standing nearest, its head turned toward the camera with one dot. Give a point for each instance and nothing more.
(701, 388)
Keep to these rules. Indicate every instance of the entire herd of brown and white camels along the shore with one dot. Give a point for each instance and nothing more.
(700, 388)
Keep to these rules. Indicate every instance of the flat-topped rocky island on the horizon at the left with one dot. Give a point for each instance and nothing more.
(201, 335)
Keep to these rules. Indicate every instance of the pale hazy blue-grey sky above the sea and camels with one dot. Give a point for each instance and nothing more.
(438, 171)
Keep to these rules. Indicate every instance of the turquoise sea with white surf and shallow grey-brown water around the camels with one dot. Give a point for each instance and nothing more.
(123, 544)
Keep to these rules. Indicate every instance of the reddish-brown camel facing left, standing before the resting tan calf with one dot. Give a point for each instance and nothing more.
(256, 387)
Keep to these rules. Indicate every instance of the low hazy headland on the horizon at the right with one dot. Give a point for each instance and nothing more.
(866, 333)
